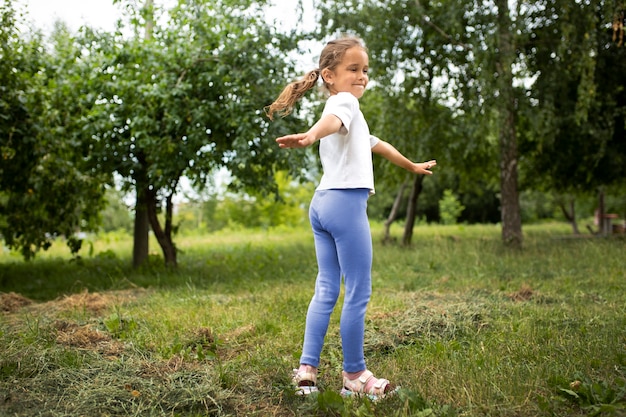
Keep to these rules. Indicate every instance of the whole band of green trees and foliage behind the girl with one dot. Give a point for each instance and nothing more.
(522, 103)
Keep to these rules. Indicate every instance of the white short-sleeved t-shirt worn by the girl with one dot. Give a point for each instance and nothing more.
(347, 155)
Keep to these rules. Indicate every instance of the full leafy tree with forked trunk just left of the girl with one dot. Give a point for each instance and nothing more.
(189, 101)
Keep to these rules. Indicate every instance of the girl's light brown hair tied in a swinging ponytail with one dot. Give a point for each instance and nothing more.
(331, 56)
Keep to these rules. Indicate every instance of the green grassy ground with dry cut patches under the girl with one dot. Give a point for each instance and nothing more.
(465, 326)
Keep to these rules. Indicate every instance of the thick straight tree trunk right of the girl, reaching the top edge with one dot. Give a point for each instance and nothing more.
(509, 200)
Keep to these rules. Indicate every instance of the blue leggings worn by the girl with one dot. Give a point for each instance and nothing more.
(343, 245)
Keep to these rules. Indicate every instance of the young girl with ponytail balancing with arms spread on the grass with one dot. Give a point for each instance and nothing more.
(338, 211)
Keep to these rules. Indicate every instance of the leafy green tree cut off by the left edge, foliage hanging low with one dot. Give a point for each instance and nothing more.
(47, 189)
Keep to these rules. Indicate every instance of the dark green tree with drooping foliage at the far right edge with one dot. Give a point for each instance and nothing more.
(576, 141)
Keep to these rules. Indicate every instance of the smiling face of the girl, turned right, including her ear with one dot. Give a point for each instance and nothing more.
(350, 75)
